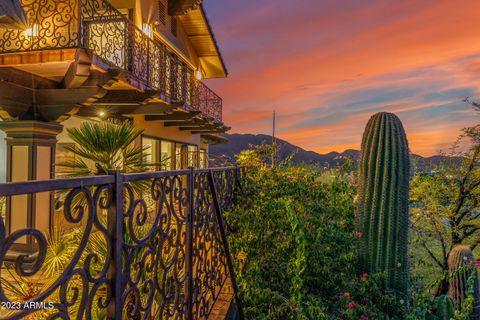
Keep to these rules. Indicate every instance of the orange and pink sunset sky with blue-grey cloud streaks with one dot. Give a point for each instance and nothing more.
(326, 66)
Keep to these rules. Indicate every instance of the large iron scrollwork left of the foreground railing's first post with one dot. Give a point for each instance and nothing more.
(82, 285)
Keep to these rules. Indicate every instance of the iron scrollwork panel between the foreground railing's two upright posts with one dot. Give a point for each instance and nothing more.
(155, 251)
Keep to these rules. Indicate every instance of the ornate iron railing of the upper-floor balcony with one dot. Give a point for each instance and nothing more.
(99, 27)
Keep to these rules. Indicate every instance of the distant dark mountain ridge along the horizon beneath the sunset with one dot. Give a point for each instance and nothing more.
(239, 142)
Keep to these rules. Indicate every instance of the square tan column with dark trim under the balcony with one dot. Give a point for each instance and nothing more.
(30, 156)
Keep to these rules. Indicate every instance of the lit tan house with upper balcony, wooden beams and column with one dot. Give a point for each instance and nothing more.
(89, 60)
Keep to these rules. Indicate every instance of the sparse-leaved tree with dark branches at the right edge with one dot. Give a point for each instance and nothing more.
(446, 203)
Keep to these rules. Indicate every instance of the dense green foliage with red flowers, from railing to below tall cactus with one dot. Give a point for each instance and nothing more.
(293, 232)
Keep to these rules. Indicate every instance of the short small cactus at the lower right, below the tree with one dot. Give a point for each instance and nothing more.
(461, 267)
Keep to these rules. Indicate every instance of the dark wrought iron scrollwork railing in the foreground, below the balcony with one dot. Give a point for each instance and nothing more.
(135, 246)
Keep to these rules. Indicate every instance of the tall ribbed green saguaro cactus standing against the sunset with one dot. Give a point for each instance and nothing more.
(382, 209)
